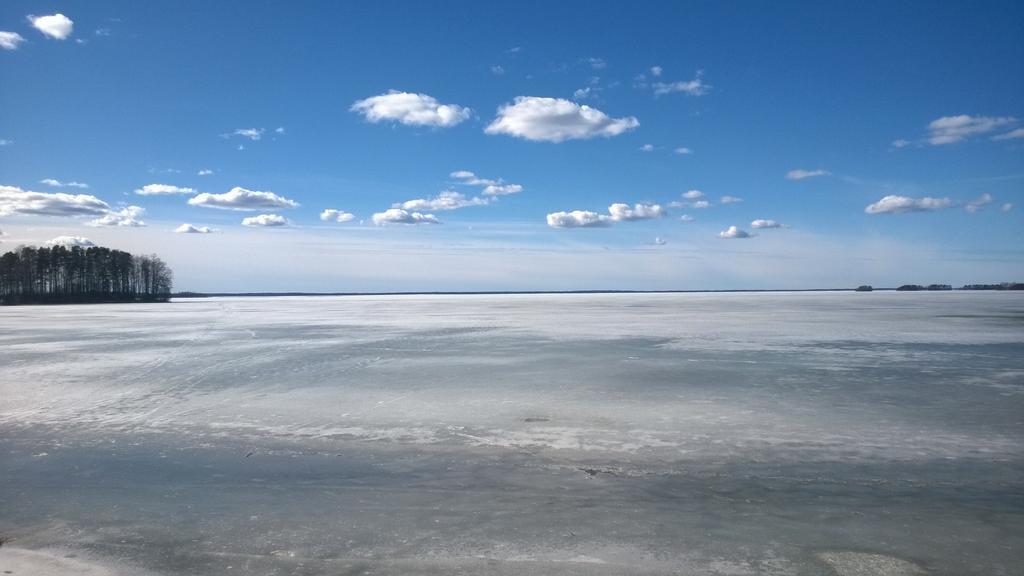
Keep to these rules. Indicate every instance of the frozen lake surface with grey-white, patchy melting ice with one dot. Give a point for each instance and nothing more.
(761, 434)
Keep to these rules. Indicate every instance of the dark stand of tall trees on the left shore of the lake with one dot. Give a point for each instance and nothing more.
(69, 275)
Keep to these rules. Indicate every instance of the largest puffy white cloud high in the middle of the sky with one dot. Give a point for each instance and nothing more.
(556, 120)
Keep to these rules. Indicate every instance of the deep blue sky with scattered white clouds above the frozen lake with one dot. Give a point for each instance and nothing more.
(921, 103)
